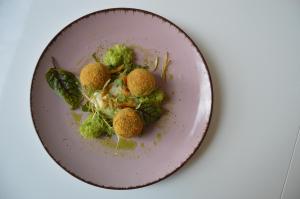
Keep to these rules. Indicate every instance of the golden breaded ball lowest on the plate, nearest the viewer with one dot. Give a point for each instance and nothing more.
(127, 123)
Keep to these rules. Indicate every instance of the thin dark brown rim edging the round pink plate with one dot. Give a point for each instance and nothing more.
(125, 9)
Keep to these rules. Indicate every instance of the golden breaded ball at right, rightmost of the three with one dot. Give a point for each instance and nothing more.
(140, 82)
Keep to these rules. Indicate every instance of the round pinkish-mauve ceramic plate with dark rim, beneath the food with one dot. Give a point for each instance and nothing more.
(165, 146)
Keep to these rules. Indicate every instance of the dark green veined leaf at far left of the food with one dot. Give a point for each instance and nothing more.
(66, 85)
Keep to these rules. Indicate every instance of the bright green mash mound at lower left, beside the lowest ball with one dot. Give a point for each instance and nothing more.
(95, 125)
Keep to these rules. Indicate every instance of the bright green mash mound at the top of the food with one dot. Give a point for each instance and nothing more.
(117, 55)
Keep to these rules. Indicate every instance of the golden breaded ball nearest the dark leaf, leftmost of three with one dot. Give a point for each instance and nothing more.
(94, 76)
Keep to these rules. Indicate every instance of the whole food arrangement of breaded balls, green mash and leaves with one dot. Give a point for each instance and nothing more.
(119, 96)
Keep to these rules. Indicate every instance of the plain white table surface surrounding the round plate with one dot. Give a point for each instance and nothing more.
(253, 52)
